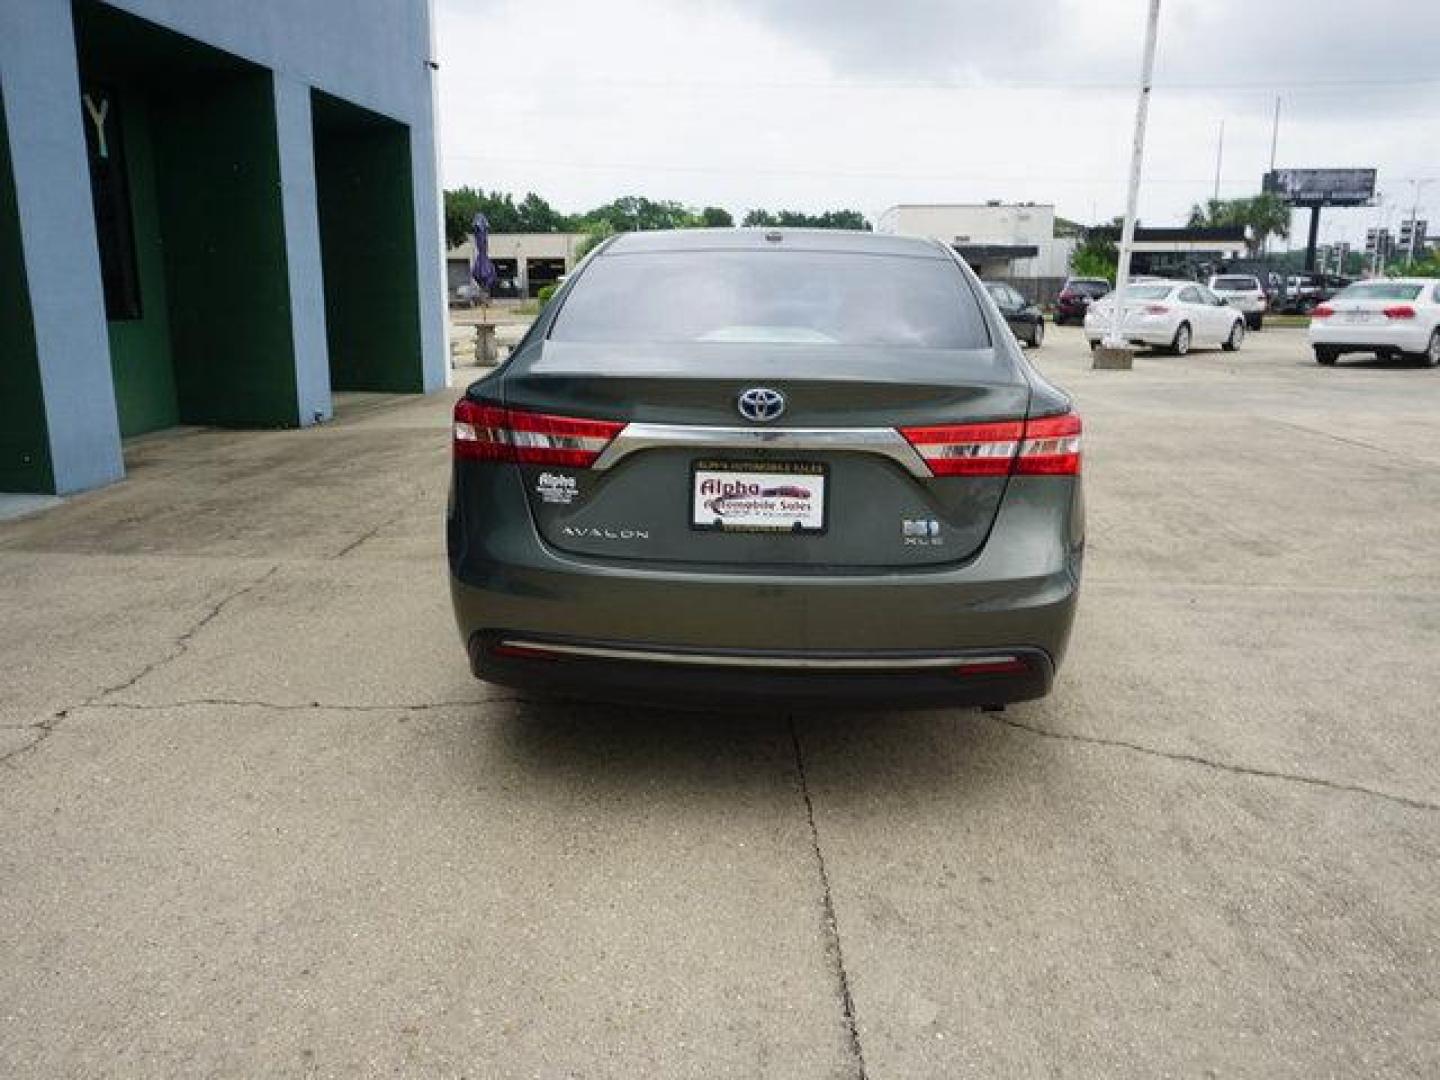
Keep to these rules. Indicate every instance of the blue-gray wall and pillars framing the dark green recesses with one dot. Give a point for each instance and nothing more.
(374, 54)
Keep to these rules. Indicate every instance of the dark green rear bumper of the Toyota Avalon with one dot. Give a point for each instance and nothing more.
(1019, 594)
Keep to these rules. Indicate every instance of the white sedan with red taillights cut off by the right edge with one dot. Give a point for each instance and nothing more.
(1396, 319)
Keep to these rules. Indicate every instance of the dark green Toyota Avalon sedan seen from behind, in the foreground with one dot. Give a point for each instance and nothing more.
(783, 466)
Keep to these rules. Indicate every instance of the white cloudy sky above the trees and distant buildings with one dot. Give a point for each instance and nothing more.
(816, 104)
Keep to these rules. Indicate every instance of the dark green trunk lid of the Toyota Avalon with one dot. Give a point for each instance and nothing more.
(863, 506)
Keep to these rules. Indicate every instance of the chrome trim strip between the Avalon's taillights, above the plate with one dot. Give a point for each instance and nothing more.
(886, 443)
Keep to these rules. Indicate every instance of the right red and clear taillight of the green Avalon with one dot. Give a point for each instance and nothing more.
(1048, 446)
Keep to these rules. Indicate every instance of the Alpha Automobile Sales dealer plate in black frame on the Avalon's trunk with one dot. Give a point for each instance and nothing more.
(758, 496)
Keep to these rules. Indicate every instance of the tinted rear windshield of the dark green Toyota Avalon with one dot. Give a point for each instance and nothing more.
(773, 297)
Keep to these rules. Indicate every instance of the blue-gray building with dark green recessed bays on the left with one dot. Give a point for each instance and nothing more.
(214, 214)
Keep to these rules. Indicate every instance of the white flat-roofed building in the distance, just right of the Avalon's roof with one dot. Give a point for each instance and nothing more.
(1012, 241)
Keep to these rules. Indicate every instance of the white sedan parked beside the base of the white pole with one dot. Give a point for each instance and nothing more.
(1170, 315)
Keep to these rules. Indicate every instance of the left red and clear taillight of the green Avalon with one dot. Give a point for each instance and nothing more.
(489, 433)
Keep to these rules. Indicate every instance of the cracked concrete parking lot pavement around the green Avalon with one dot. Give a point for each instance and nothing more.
(258, 820)
